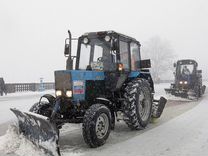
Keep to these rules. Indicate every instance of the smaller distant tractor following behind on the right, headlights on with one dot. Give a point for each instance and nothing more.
(188, 80)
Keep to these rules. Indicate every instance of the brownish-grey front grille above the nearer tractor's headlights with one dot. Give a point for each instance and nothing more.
(63, 80)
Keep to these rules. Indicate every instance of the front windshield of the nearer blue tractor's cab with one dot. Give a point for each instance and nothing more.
(94, 55)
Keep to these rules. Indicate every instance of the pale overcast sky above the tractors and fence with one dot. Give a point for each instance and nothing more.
(32, 33)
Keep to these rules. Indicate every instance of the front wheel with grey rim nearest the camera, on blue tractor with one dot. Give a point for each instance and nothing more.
(96, 125)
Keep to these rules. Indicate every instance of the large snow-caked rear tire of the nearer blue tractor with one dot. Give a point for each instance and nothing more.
(137, 106)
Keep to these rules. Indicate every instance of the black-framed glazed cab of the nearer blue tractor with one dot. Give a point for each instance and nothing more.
(112, 56)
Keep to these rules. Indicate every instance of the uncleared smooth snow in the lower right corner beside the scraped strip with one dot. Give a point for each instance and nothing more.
(184, 135)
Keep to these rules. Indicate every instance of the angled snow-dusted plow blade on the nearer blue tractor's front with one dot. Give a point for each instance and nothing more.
(39, 130)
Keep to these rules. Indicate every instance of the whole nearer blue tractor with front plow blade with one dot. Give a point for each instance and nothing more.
(108, 78)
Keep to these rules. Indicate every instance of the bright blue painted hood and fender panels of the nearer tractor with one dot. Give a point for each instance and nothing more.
(83, 76)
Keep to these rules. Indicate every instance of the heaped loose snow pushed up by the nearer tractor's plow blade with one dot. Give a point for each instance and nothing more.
(13, 143)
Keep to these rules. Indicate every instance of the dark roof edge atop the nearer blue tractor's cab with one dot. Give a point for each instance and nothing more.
(110, 32)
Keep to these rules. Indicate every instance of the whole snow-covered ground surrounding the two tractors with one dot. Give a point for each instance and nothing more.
(182, 130)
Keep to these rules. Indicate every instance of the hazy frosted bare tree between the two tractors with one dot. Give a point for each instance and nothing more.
(161, 54)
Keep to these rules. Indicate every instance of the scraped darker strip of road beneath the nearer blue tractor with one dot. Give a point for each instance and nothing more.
(72, 141)
